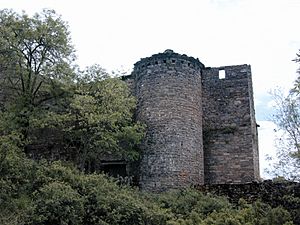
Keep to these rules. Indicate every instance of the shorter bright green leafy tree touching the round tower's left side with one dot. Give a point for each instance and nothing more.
(100, 119)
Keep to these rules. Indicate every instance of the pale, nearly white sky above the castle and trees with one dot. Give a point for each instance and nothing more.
(117, 33)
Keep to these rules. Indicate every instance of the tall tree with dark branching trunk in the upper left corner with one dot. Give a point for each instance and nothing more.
(35, 59)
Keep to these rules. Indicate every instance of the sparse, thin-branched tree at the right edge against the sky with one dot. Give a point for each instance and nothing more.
(287, 119)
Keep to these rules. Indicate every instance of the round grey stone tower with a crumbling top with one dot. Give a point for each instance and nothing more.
(168, 90)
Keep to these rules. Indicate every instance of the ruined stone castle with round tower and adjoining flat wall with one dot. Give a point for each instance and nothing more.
(201, 126)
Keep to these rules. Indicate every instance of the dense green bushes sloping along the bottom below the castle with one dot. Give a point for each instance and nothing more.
(53, 193)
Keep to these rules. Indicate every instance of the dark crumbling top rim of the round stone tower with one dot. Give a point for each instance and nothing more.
(169, 54)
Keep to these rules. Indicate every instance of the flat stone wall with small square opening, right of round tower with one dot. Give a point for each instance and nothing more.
(229, 127)
